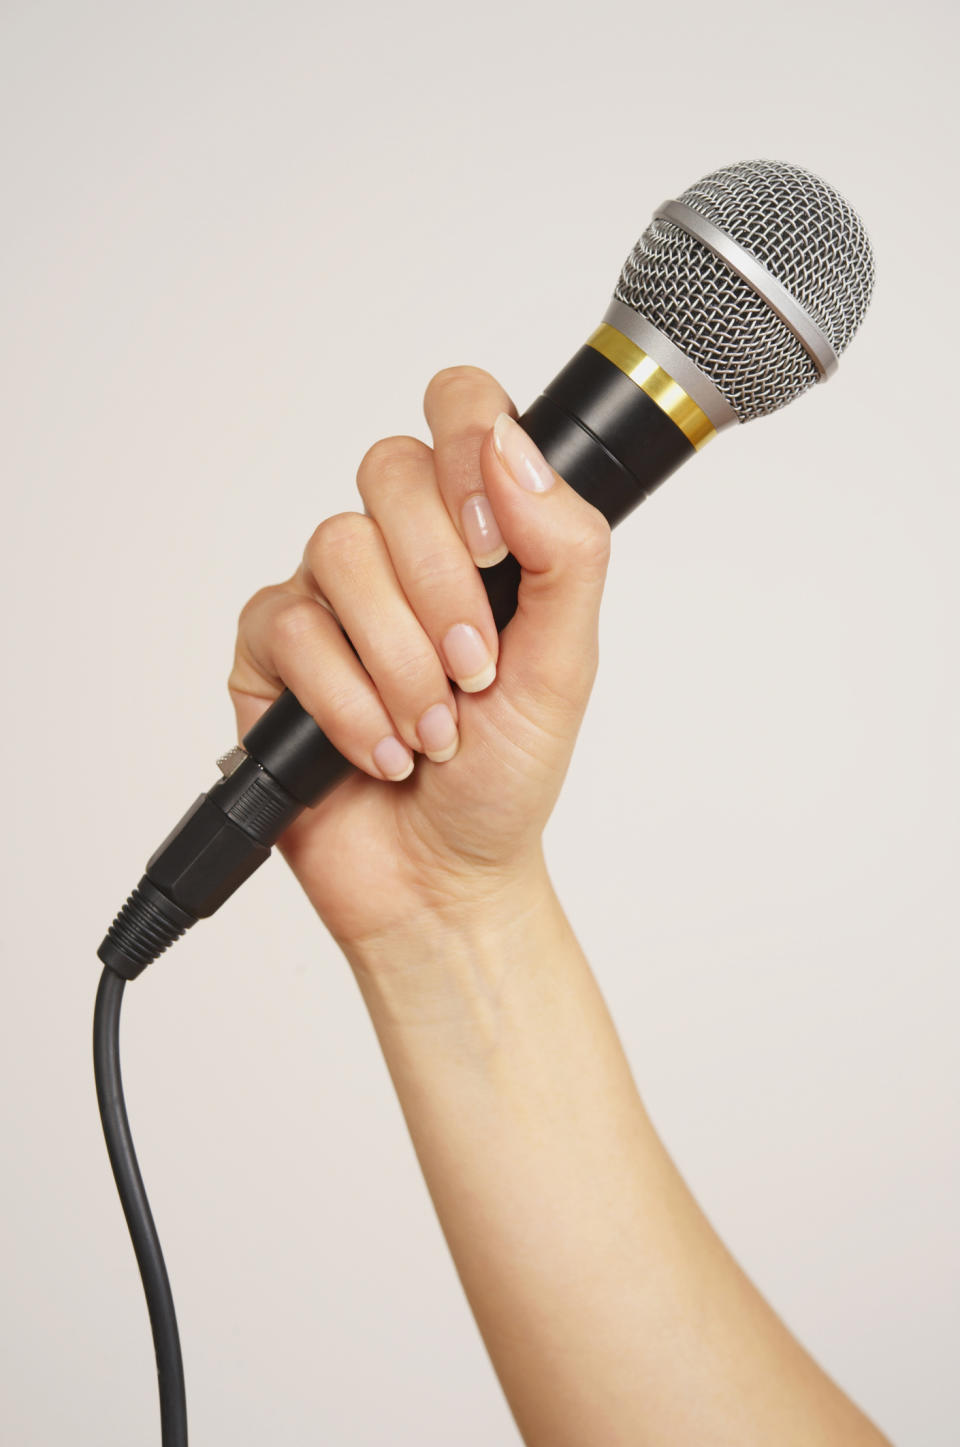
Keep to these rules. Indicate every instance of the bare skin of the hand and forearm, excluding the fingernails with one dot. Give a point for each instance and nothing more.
(610, 1309)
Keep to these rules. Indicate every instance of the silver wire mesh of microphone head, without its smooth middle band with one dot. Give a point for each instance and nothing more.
(803, 232)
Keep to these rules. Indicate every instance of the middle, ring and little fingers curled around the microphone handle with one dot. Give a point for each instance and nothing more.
(395, 611)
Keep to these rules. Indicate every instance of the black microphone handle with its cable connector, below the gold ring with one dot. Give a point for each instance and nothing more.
(605, 436)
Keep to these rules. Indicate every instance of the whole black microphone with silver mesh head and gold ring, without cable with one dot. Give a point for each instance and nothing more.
(738, 299)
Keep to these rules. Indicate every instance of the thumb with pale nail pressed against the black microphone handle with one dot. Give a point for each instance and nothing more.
(563, 545)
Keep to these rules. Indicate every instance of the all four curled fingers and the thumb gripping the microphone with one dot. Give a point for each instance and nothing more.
(389, 607)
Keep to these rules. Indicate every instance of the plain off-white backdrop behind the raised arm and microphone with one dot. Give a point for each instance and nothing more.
(238, 239)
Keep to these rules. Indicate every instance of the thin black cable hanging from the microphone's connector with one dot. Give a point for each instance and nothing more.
(117, 1129)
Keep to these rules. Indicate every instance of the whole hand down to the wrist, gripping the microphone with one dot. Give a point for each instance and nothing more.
(461, 831)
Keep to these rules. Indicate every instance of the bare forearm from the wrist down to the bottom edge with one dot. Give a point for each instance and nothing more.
(610, 1310)
